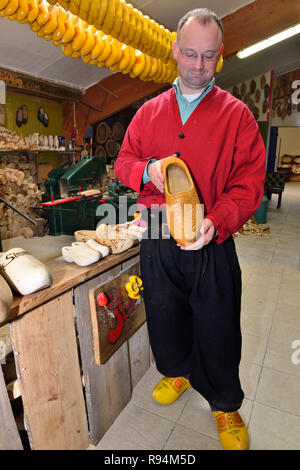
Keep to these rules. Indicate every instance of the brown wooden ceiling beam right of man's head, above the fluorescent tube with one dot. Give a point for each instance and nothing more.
(257, 21)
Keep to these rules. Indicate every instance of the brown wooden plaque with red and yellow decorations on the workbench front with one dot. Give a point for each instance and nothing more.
(117, 311)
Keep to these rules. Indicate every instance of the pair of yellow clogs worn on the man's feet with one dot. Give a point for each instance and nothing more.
(231, 428)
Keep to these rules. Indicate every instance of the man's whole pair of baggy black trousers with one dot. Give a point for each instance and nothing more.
(192, 301)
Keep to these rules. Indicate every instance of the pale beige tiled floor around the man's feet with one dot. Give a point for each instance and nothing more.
(271, 381)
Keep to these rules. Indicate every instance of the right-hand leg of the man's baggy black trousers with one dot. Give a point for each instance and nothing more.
(216, 305)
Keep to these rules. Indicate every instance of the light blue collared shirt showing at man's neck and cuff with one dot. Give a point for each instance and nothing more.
(185, 108)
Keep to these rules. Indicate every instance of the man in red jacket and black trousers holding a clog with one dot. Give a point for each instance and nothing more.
(192, 293)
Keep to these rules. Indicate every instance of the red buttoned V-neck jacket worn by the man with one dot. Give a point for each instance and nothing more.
(220, 143)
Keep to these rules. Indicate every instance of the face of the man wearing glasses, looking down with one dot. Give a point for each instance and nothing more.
(197, 53)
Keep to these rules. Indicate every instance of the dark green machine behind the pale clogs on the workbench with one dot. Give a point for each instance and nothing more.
(73, 198)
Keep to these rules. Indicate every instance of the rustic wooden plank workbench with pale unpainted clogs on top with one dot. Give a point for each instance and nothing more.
(70, 400)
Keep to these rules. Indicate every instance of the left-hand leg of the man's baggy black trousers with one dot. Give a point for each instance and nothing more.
(169, 317)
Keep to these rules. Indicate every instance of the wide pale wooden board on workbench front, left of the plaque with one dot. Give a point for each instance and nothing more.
(45, 348)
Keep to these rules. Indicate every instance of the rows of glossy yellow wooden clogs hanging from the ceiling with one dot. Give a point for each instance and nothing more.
(105, 33)
